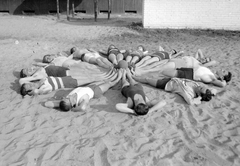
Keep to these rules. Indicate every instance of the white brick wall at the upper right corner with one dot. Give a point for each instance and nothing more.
(212, 14)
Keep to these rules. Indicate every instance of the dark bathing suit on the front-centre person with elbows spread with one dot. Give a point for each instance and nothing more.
(132, 90)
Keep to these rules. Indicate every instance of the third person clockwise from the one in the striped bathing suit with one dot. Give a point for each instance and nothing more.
(91, 56)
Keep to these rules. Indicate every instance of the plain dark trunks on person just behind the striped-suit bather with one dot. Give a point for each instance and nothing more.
(56, 71)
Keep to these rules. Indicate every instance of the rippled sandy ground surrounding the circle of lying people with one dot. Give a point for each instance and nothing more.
(176, 135)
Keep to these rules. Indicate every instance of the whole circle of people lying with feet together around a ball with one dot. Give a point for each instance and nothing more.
(174, 72)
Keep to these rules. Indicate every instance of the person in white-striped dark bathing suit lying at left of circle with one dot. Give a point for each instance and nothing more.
(49, 84)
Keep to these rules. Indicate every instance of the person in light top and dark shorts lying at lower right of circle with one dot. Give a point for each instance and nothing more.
(191, 91)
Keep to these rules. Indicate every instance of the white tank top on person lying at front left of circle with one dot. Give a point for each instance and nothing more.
(81, 91)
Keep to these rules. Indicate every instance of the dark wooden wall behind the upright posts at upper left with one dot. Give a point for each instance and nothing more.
(84, 6)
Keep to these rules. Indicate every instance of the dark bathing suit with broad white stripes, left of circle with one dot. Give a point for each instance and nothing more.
(61, 82)
